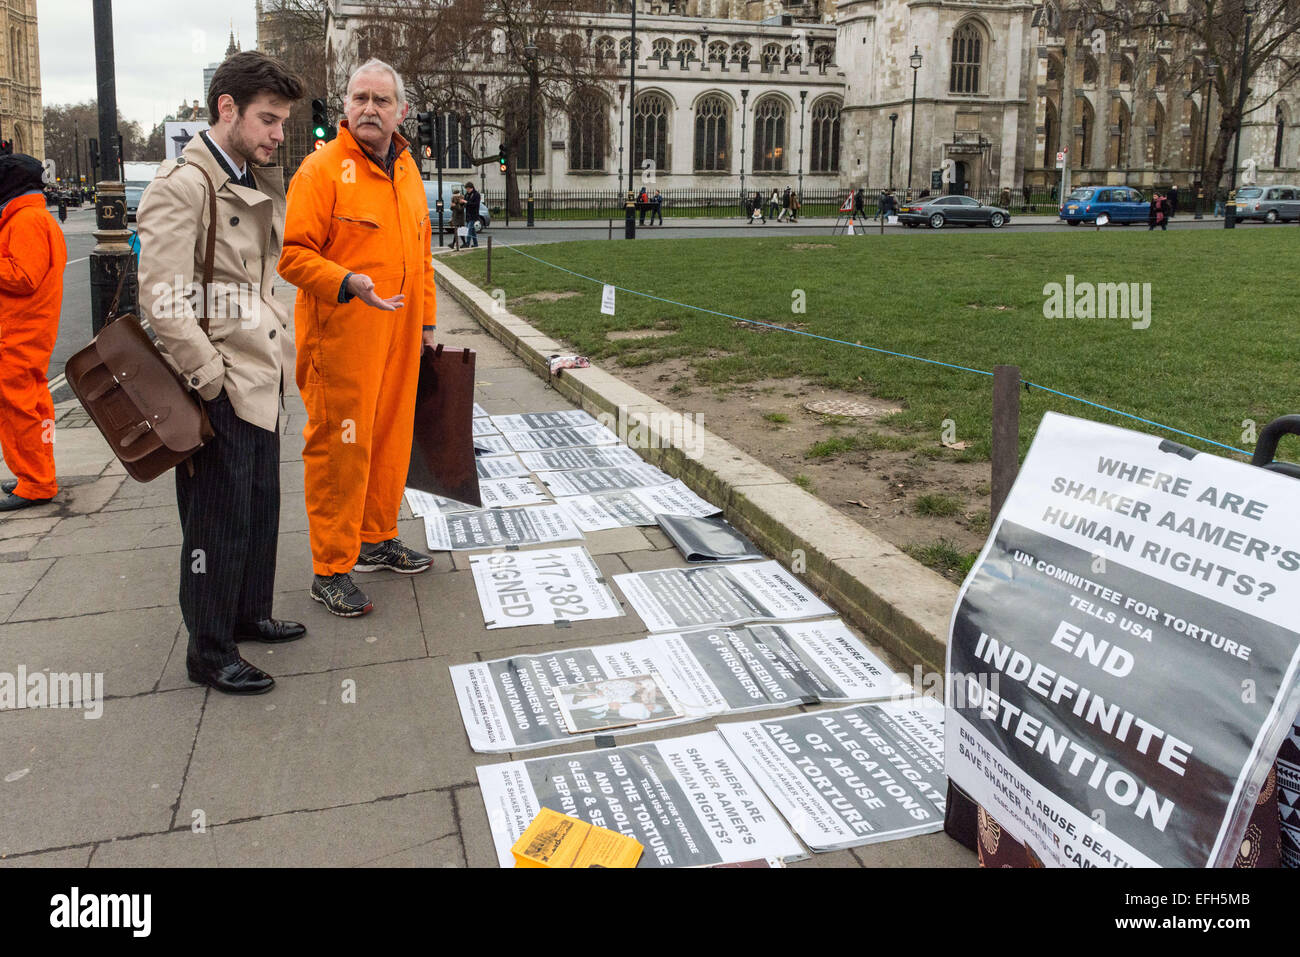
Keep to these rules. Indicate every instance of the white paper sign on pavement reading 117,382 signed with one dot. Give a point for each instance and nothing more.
(541, 587)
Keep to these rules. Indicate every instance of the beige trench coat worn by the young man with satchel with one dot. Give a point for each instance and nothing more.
(249, 345)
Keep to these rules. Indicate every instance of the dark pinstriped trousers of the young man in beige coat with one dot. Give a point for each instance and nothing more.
(231, 522)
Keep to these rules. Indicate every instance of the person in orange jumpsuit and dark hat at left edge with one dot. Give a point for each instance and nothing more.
(33, 256)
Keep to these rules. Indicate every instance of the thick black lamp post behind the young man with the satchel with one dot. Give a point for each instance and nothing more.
(111, 261)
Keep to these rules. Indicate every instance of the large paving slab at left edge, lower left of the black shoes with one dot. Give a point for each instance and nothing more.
(68, 781)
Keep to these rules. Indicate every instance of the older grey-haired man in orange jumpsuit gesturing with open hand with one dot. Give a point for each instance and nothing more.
(358, 248)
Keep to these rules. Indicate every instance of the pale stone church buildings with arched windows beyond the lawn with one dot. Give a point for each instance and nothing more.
(954, 96)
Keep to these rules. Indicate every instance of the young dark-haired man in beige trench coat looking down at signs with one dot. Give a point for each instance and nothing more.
(229, 501)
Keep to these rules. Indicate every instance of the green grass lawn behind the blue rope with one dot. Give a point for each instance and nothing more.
(1221, 347)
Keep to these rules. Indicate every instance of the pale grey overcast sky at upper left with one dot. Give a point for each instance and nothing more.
(161, 47)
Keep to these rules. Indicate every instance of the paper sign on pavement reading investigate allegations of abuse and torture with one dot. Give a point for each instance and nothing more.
(851, 777)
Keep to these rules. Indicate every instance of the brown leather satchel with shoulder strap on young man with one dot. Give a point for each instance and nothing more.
(149, 415)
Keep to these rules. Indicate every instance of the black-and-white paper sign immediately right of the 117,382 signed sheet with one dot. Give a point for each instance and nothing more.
(674, 599)
